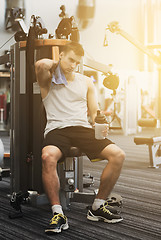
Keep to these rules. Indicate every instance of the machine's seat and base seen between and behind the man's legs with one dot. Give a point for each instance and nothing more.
(71, 175)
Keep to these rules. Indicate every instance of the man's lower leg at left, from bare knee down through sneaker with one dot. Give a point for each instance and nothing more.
(50, 157)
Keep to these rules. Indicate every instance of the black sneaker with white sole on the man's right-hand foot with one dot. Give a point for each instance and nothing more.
(103, 214)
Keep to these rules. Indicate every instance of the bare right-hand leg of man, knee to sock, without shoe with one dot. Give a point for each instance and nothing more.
(111, 172)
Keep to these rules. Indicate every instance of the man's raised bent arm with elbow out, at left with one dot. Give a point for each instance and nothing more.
(44, 69)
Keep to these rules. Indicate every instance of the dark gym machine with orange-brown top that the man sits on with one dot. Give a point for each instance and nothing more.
(28, 122)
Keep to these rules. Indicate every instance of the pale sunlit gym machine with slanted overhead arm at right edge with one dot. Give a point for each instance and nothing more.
(154, 141)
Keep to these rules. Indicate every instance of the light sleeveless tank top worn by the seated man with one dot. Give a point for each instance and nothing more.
(66, 105)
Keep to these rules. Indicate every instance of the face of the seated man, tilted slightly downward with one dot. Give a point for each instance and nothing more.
(69, 61)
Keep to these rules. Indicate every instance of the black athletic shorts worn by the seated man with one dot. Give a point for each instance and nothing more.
(76, 136)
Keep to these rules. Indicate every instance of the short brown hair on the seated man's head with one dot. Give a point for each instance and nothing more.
(75, 47)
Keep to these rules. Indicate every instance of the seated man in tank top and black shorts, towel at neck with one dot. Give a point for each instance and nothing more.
(67, 96)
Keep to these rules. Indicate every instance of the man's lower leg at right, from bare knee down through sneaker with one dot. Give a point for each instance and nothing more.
(100, 210)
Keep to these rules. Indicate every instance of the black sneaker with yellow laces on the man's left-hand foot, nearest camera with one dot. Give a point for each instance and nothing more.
(57, 223)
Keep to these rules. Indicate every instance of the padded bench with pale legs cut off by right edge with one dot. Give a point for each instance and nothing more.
(154, 145)
